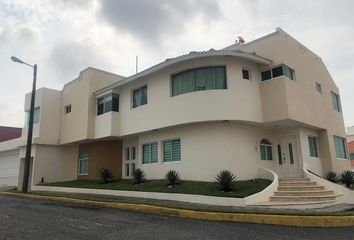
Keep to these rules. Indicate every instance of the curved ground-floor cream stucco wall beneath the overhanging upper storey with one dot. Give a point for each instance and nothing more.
(208, 148)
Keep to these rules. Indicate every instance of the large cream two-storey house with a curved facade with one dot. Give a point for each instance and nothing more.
(267, 103)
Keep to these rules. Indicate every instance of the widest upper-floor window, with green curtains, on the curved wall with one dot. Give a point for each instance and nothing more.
(200, 79)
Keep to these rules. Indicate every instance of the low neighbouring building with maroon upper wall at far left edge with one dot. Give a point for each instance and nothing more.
(9, 155)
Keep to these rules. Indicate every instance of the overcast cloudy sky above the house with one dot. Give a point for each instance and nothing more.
(64, 37)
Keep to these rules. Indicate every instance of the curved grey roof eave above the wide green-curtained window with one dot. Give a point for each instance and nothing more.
(192, 55)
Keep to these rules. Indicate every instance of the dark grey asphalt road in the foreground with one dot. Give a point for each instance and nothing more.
(35, 219)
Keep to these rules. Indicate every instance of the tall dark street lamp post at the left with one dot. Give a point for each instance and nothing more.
(26, 170)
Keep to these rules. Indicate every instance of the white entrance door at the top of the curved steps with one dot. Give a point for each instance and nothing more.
(288, 157)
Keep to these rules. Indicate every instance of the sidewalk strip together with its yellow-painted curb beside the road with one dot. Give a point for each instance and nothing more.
(326, 217)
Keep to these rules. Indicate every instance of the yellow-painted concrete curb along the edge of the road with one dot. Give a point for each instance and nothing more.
(286, 220)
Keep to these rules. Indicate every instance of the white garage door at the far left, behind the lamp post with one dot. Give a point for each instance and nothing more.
(9, 162)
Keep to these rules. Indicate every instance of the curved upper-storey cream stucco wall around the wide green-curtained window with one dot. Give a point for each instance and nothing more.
(240, 101)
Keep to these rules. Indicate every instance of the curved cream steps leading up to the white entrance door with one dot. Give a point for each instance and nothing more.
(301, 191)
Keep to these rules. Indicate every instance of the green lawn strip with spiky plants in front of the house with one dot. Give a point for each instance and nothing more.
(242, 188)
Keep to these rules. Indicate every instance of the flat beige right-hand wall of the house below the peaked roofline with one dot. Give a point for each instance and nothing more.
(304, 103)
